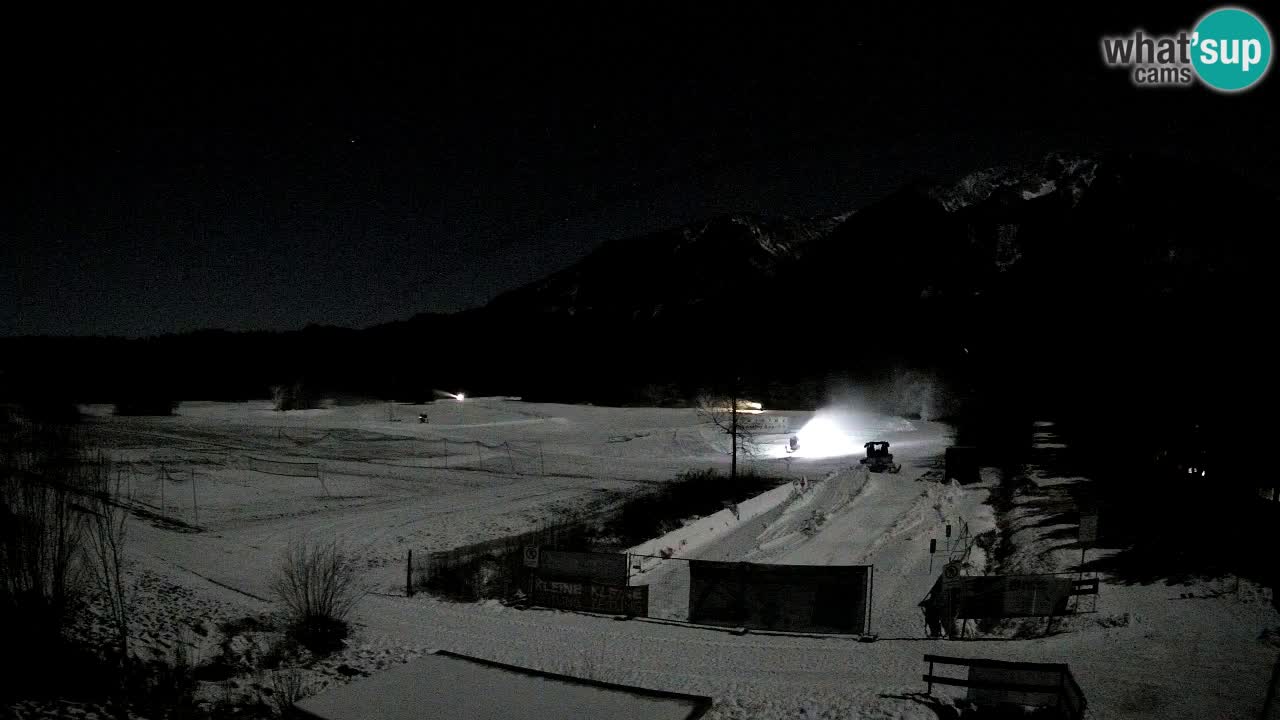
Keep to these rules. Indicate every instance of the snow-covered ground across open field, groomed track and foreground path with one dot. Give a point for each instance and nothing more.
(488, 467)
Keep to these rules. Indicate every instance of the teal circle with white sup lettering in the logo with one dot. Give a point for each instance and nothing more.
(1232, 49)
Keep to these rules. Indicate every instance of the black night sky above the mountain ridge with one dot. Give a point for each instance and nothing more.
(267, 174)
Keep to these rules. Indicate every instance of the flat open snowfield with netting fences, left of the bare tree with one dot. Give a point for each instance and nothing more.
(479, 470)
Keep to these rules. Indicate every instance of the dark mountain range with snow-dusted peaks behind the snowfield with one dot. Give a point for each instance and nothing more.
(1078, 276)
